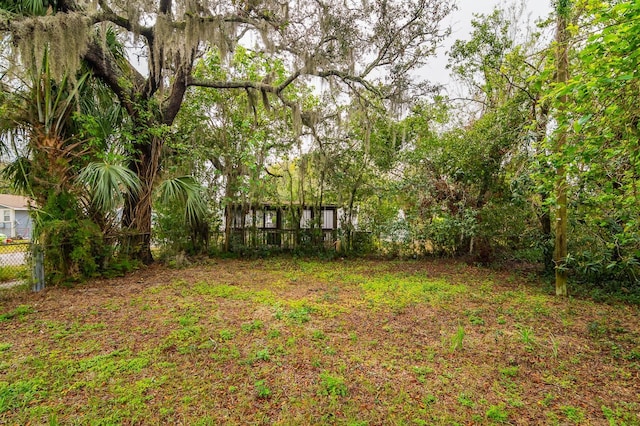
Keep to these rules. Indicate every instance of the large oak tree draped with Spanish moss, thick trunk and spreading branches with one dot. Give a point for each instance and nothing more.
(355, 46)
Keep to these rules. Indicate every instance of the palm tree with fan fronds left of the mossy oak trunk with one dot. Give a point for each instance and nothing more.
(68, 157)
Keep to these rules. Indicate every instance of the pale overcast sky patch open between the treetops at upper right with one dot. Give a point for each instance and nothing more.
(460, 22)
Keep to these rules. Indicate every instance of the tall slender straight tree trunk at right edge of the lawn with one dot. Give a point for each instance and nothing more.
(560, 253)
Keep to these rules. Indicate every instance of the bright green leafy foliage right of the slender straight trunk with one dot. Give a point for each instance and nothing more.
(600, 155)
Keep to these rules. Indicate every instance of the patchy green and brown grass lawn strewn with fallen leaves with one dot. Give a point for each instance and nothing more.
(305, 342)
